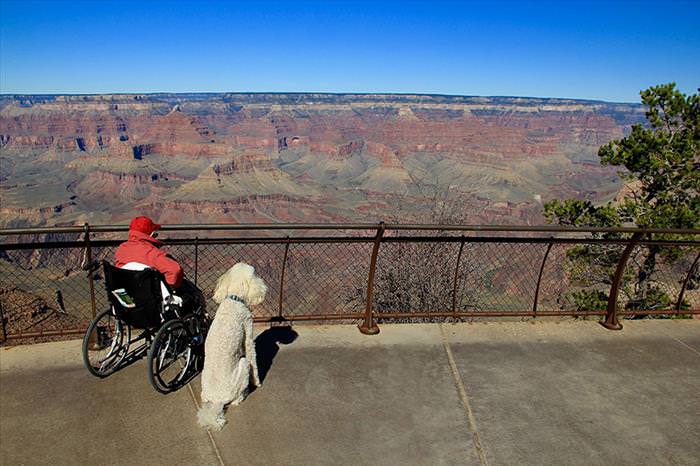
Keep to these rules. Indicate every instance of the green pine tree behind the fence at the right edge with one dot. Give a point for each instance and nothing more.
(661, 161)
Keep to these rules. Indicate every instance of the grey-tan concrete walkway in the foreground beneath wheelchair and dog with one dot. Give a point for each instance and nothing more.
(465, 394)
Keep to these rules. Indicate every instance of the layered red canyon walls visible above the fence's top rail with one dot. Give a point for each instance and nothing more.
(262, 158)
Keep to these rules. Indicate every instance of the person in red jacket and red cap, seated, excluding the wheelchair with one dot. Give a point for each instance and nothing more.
(142, 250)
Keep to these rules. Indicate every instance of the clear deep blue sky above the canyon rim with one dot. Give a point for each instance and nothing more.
(607, 50)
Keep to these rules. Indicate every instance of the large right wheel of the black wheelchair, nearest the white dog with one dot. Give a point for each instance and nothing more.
(170, 357)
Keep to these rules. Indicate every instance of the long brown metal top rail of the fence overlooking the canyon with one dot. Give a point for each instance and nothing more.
(348, 226)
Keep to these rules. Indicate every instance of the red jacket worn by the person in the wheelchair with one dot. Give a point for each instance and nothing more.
(144, 249)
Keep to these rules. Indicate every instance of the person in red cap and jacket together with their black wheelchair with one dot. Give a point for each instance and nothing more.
(148, 295)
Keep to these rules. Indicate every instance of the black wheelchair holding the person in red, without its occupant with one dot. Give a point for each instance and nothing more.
(146, 318)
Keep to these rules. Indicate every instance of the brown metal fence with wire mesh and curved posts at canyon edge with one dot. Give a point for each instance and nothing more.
(368, 272)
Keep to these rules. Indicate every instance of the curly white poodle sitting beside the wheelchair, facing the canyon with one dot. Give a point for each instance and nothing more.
(229, 350)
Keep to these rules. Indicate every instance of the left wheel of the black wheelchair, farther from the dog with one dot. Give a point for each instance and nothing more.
(105, 344)
